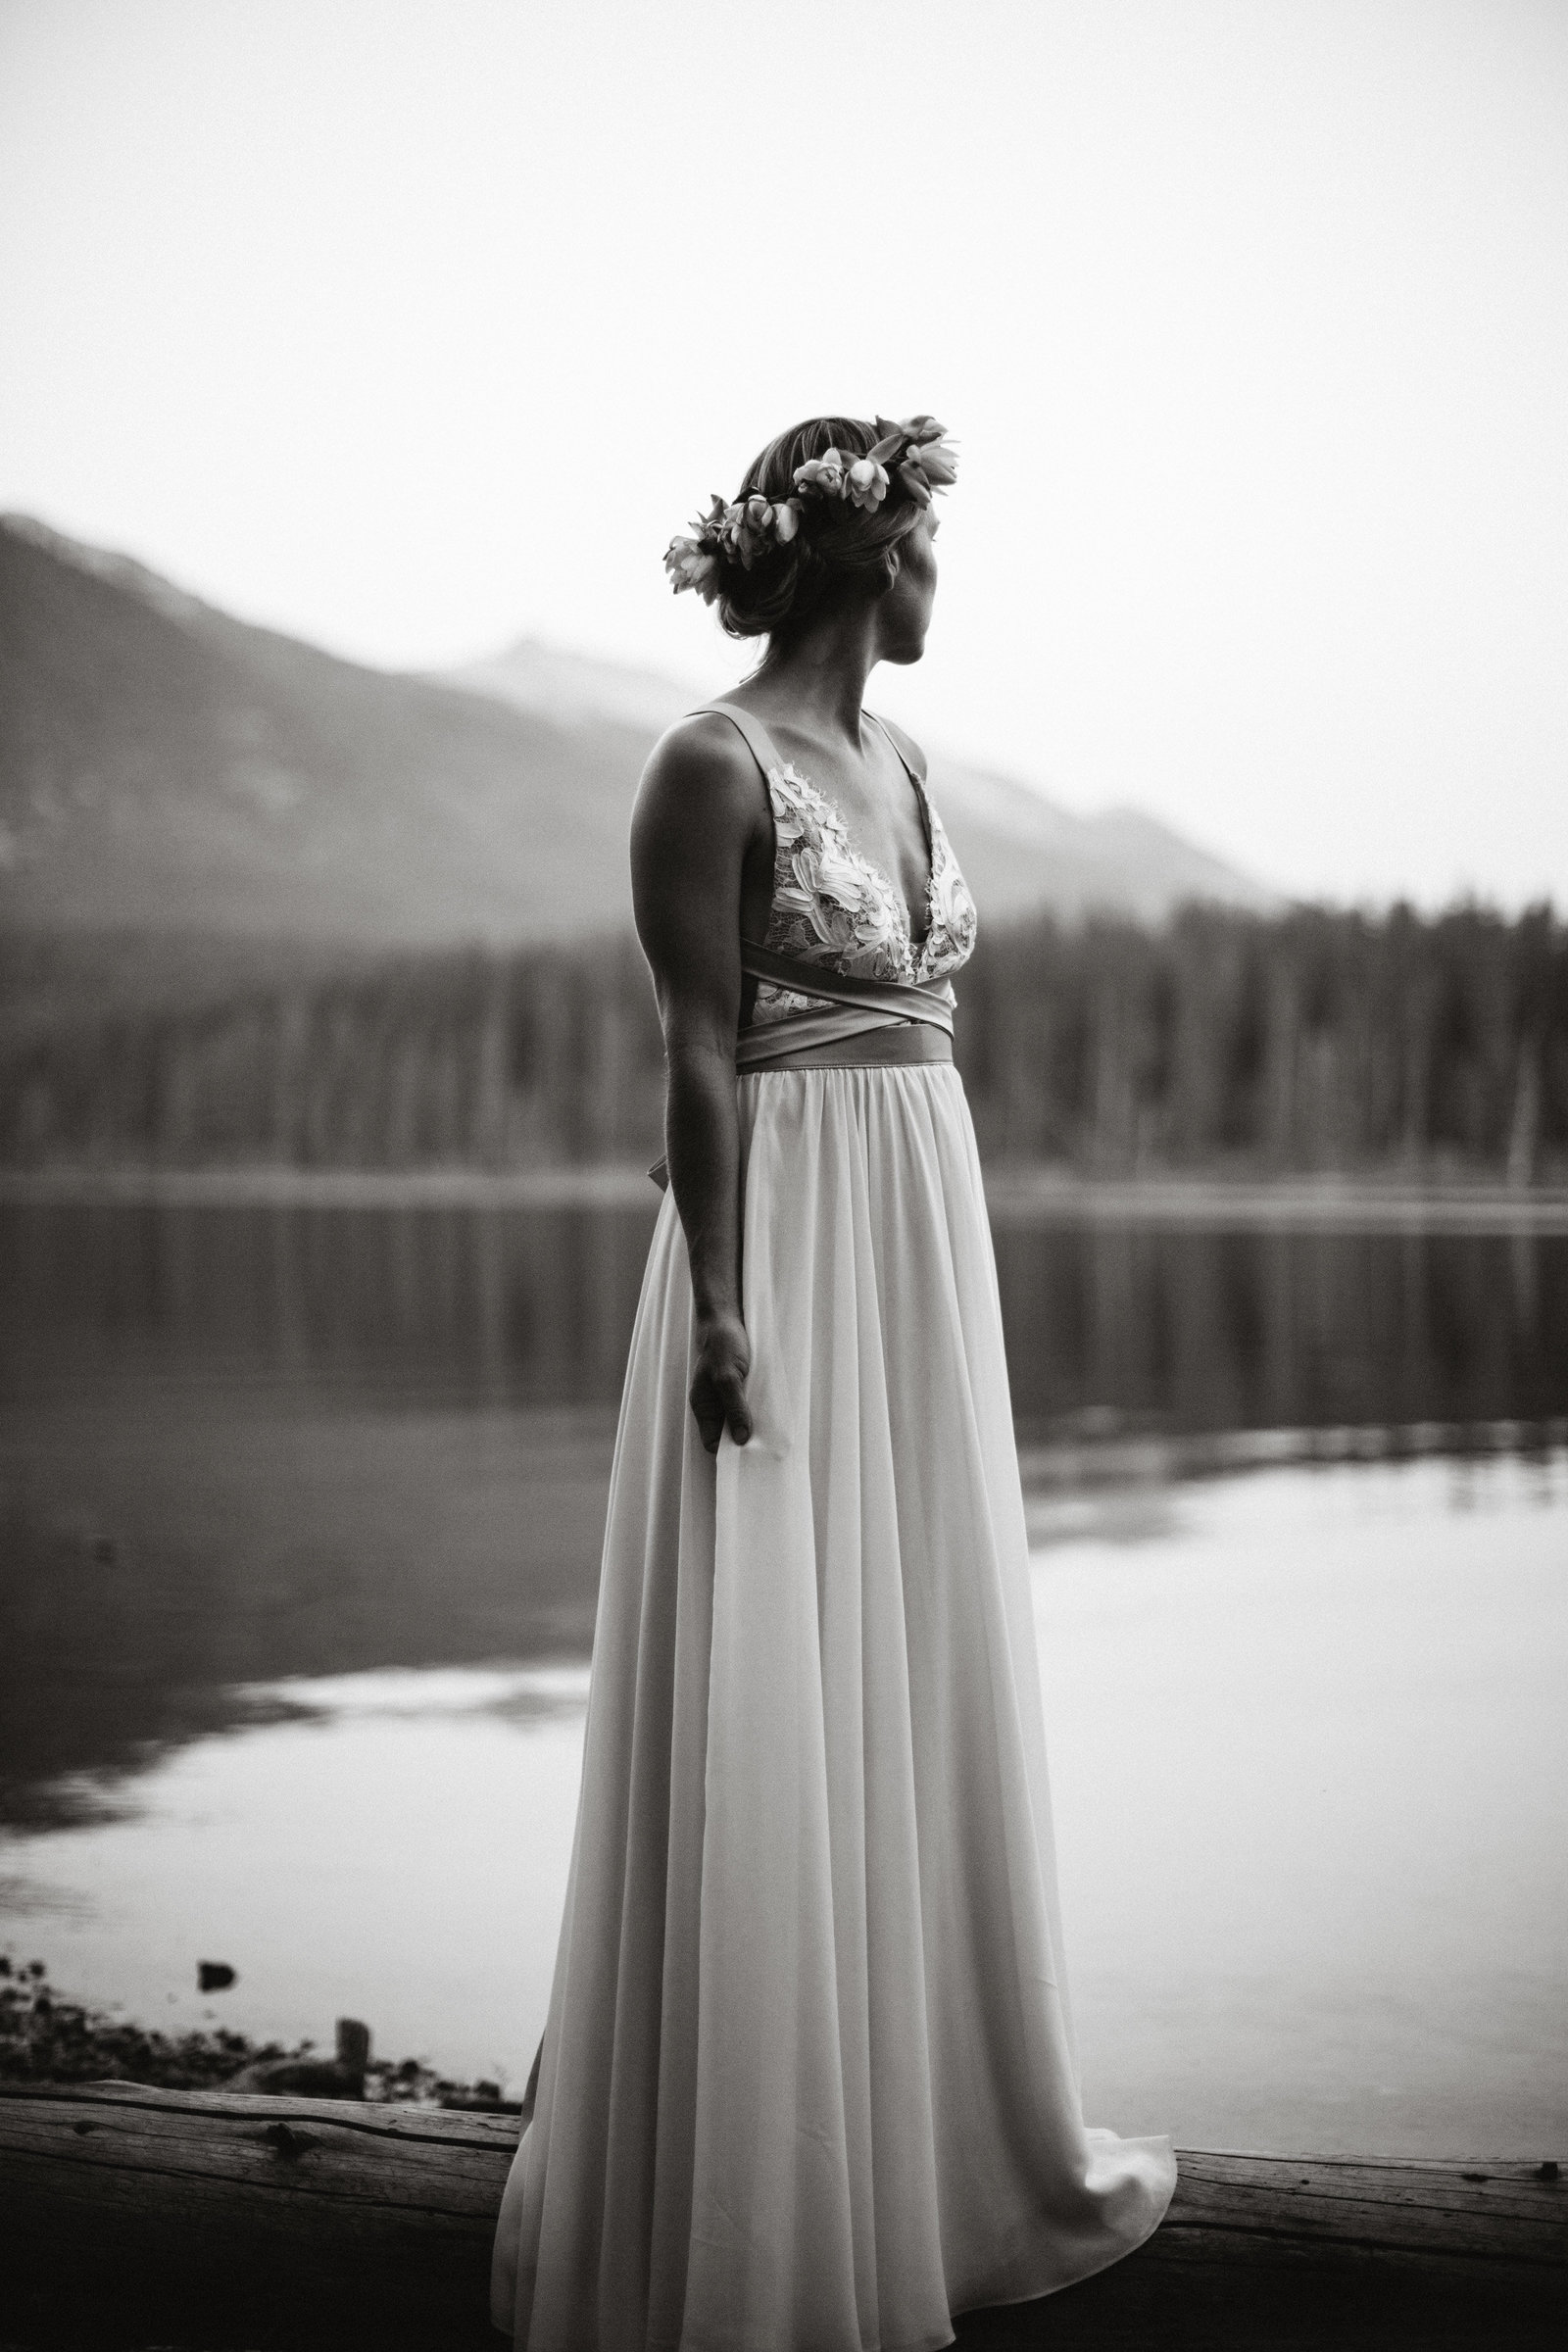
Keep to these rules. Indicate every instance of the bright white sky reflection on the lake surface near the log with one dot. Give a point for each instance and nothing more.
(1308, 1756)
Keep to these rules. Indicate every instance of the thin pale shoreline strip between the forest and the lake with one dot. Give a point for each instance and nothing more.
(1014, 1196)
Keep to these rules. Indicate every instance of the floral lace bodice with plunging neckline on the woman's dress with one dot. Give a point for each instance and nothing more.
(836, 909)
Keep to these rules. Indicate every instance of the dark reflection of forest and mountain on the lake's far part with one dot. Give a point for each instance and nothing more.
(241, 1448)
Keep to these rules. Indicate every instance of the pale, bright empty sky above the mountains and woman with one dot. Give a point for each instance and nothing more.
(422, 326)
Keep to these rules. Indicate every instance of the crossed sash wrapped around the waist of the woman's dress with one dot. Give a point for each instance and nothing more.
(876, 1024)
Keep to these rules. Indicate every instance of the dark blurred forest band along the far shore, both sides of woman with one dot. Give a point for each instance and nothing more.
(1299, 1043)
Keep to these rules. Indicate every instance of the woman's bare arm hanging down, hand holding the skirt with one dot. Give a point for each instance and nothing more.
(692, 829)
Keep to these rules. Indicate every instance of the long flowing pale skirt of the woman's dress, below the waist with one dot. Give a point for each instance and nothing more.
(810, 2078)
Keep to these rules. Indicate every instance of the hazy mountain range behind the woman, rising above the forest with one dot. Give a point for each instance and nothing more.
(170, 770)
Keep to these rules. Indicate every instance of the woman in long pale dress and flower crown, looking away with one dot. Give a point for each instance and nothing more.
(808, 2080)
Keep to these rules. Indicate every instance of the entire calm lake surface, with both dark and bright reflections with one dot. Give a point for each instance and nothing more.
(302, 1516)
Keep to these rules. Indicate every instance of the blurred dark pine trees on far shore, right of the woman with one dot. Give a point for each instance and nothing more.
(1313, 1041)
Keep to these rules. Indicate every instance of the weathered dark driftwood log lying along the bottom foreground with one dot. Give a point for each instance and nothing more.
(217, 2221)
